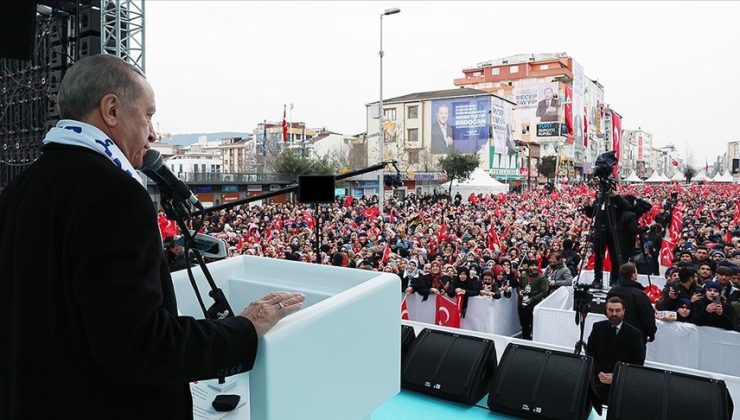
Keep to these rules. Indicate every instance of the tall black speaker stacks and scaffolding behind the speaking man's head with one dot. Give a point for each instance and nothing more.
(29, 87)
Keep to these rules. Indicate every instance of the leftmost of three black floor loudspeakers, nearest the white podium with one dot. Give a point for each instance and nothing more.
(449, 365)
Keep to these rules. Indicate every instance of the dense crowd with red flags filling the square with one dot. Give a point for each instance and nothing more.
(527, 243)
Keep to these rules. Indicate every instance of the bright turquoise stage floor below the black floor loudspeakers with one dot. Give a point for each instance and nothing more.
(409, 405)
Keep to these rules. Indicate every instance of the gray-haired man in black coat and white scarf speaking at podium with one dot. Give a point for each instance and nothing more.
(90, 326)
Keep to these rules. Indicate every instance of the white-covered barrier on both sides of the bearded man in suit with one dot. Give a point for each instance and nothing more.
(676, 343)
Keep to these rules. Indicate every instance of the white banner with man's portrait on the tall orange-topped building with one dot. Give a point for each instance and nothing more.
(538, 102)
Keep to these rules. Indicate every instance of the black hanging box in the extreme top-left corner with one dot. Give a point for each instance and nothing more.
(17, 28)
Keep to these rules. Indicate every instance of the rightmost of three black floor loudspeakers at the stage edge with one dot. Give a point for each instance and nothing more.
(638, 392)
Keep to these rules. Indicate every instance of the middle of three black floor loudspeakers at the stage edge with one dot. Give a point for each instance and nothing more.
(531, 382)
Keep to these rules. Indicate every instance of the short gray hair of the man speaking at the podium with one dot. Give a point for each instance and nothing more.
(90, 79)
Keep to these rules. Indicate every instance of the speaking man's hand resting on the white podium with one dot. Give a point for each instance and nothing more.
(267, 311)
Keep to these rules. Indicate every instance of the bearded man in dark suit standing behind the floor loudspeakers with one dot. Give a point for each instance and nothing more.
(613, 341)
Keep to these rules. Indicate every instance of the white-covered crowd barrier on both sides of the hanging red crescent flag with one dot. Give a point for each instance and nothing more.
(494, 316)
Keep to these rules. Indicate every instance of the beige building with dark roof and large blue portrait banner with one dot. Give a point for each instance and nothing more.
(420, 128)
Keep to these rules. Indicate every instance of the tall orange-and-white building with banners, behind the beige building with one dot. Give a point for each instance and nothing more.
(556, 104)
